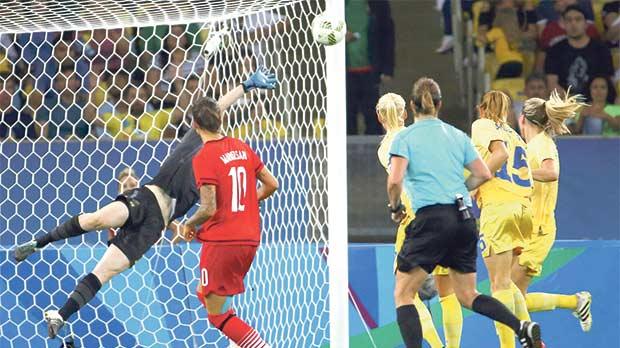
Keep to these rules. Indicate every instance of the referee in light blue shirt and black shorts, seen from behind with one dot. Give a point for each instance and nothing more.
(429, 156)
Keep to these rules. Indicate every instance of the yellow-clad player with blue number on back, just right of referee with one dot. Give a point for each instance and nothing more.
(504, 201)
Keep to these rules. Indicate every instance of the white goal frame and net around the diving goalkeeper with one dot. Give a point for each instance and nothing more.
(88, 88)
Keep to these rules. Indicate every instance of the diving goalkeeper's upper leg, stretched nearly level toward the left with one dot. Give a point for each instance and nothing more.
(110, 216)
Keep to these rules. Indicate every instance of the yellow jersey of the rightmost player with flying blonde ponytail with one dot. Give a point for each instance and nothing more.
(545, 194)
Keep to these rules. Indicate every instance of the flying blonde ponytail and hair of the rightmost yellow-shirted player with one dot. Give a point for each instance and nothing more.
(550, 114)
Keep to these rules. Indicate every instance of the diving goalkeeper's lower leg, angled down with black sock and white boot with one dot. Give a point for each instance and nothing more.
(114, 261)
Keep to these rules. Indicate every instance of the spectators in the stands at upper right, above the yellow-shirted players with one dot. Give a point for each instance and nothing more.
(534, 47)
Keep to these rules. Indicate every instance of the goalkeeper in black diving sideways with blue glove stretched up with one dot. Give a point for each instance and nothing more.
(142, 214)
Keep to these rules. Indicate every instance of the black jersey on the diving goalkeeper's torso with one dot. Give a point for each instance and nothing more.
(176, 175)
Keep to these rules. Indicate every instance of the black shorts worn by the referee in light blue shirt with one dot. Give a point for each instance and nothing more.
(438, 236)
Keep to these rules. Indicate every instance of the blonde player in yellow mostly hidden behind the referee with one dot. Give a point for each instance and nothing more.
(392, 115)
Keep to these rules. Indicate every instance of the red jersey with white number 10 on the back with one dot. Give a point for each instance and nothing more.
(231, 165)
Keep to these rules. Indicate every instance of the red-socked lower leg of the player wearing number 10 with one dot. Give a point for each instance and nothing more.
(225, 320)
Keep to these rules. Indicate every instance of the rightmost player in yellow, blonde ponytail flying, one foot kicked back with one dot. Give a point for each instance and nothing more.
(540, 121)
